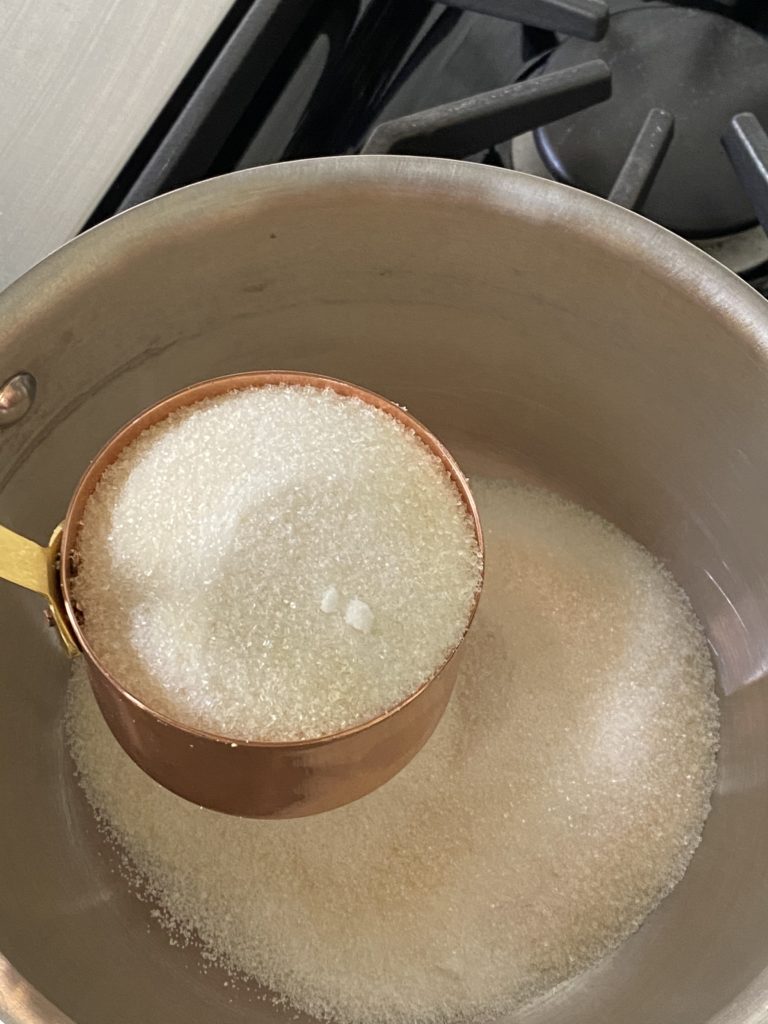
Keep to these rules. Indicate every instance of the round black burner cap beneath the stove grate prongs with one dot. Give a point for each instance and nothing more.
(701, 67)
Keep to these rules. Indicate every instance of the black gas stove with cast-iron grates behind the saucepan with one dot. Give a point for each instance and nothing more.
(657, 106)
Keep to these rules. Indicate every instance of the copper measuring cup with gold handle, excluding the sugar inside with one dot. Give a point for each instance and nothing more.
(249, 779)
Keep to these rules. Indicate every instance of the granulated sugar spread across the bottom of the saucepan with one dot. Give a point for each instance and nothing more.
(560, 800)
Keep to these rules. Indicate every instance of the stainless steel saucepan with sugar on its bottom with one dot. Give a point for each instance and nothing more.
(544, 335)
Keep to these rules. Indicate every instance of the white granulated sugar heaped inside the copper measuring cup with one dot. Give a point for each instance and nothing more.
(276, 564)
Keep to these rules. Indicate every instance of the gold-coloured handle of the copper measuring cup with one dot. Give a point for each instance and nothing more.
(36, 568)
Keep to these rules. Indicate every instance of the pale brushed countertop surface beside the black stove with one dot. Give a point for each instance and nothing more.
(80, 83)
